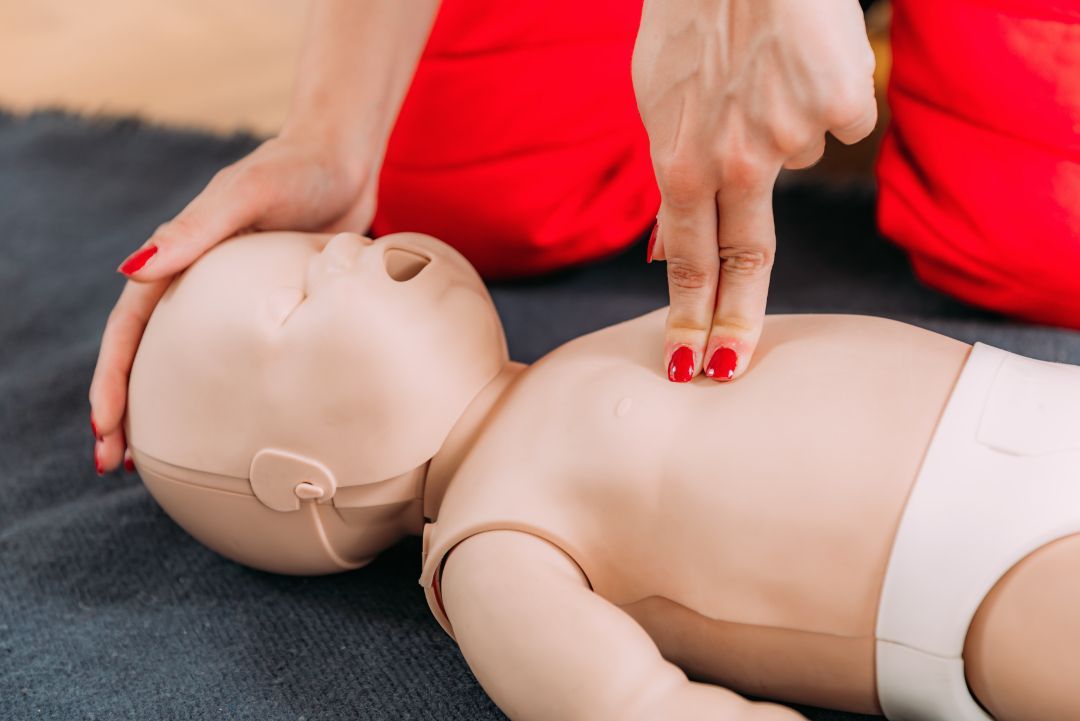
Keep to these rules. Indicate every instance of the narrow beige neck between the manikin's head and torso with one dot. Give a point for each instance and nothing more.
(463, 438)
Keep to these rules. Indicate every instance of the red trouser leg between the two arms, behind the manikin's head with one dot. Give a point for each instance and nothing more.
(520, 142)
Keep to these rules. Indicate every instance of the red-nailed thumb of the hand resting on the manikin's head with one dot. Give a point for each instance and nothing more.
(232, 202)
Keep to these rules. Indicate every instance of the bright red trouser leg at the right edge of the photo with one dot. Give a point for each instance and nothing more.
(980, 171)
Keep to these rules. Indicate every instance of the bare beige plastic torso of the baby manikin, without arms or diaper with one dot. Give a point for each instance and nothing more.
(751, 543)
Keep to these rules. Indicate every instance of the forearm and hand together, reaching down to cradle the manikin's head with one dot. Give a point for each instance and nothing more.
(319, 174)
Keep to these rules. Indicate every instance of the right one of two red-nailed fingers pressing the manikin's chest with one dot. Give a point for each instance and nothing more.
(748, 246)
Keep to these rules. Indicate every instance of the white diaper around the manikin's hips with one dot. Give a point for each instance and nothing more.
(1002, 480)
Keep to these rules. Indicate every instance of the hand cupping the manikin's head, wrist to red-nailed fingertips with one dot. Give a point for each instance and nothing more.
(288, 183)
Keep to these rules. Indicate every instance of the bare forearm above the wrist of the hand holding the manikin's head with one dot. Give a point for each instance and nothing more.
(357, 66)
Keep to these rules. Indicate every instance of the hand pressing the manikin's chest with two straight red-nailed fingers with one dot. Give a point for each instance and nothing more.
(732, 91)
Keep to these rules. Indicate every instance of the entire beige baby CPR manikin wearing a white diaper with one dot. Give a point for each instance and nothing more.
(875, 519)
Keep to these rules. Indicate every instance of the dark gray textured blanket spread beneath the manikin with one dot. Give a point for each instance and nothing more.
(110, 611)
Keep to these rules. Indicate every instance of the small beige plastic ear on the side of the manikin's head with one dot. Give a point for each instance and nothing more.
(281, 480)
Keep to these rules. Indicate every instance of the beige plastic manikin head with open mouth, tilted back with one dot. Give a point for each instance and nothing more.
(291, 389)
